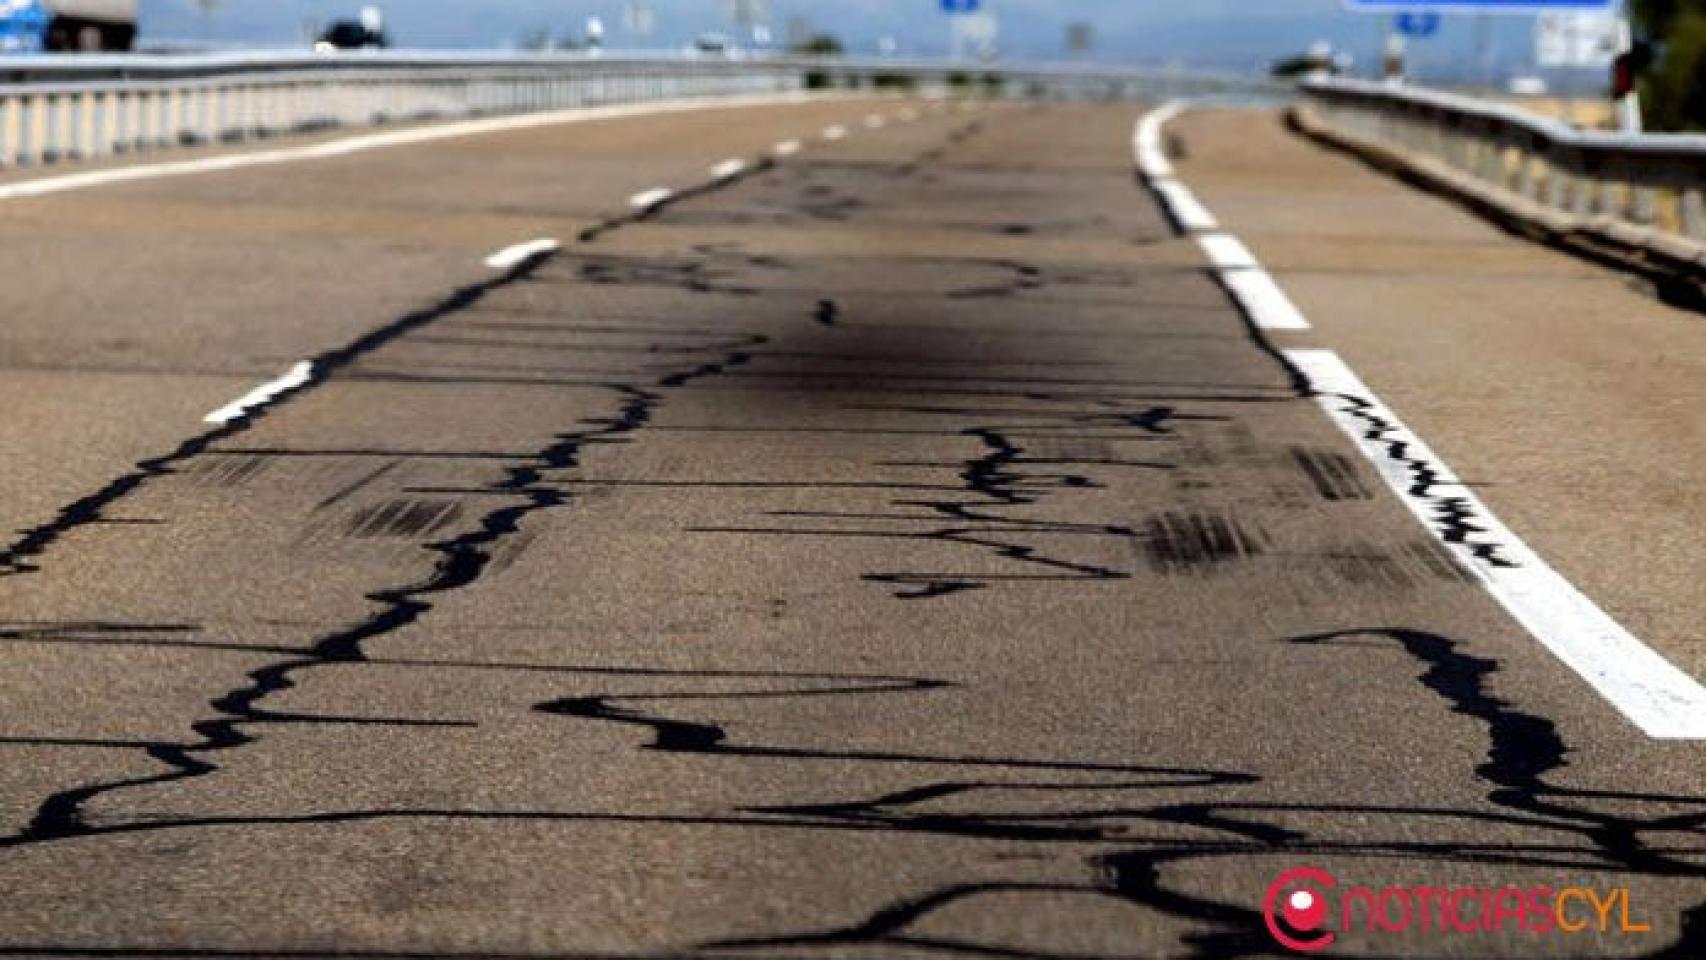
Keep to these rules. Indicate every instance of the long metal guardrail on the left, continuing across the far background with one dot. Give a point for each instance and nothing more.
(69, 108)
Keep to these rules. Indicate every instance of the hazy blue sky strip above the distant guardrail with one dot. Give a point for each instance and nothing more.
(1239, 35)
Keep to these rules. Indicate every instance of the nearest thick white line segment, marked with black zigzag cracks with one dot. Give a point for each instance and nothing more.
(1651, 691)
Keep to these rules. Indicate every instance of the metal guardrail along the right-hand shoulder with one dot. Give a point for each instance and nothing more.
(1647, 182)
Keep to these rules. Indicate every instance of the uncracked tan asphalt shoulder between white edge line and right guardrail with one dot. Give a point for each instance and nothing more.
(1565, 395)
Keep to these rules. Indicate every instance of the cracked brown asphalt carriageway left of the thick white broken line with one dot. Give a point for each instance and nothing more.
(902, 552)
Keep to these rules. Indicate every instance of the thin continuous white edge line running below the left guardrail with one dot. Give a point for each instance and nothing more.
(361, 144)
